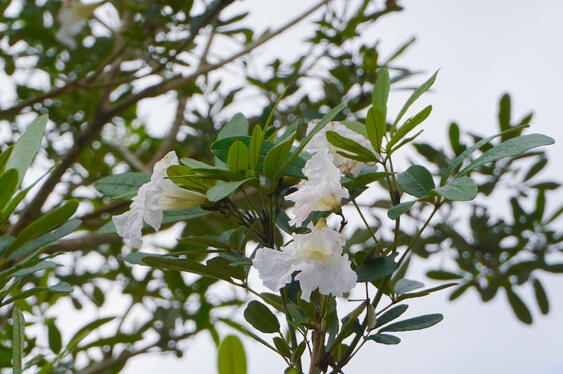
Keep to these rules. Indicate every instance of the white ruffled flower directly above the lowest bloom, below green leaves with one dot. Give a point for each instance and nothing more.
(321, 191)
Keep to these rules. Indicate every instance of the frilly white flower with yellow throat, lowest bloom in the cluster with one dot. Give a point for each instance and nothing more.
(318, 258)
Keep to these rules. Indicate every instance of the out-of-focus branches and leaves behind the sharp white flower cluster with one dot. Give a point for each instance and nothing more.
(131, 51)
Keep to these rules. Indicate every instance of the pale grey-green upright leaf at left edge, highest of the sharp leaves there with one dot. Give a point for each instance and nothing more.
(26, 147)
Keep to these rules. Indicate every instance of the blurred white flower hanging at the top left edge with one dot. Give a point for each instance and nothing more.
(72, 18)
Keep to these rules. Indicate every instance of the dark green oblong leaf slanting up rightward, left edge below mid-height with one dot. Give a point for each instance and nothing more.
(46, 223)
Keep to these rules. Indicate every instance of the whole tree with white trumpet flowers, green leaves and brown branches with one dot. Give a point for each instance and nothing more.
(274, 193)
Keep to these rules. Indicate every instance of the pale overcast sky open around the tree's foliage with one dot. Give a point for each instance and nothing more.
(483, 49)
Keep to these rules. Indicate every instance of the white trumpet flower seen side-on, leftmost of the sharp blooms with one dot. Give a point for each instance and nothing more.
(152, 198)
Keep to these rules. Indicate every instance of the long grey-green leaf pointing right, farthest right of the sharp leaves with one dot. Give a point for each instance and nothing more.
(510, 148)
